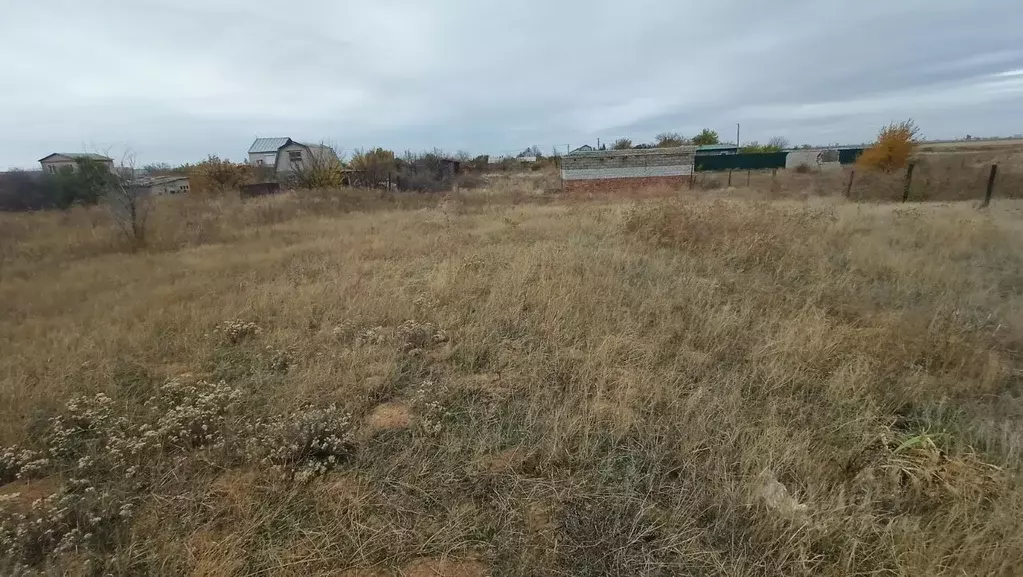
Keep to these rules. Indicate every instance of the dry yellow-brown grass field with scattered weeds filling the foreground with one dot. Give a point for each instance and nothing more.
(491, 385)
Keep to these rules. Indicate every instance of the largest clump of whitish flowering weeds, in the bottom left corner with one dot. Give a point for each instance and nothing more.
(110, 457)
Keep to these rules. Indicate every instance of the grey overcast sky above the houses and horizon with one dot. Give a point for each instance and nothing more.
(177, 80)
